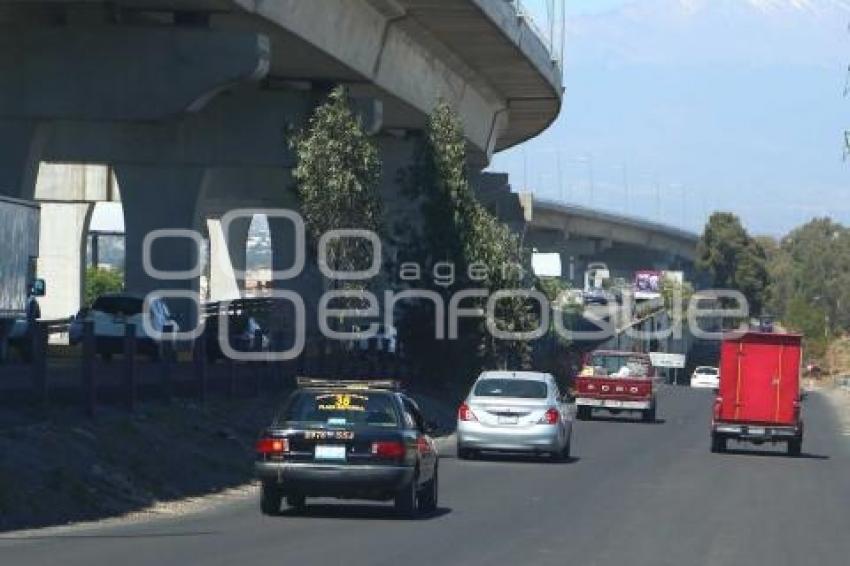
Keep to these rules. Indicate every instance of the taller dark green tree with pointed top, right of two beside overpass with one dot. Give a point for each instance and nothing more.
(458, 230)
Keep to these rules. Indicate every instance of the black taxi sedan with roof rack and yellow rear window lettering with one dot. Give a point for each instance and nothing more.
(348, 440)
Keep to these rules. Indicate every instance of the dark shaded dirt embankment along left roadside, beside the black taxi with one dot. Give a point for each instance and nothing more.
(58, 466)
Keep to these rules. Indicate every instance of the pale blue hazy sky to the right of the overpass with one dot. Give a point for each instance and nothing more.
(675, 108)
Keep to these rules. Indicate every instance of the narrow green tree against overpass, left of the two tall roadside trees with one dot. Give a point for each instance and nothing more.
(337, 174)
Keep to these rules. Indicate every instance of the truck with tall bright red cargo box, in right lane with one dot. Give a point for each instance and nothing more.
(759, 395)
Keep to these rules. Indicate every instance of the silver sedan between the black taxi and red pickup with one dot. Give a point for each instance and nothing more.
(513, 411)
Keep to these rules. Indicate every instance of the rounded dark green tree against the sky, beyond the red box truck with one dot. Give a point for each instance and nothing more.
(732, 259)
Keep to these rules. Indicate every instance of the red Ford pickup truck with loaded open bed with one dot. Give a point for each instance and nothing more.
(616, 381)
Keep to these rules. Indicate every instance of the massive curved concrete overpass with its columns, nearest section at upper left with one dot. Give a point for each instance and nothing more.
(189, 101)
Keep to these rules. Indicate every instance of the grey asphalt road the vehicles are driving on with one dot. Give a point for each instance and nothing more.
(635, 494)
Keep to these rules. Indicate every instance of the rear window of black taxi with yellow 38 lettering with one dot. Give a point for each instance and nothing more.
(341, 408)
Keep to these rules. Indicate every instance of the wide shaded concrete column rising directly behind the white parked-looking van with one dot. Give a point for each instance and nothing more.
(163, 198)
